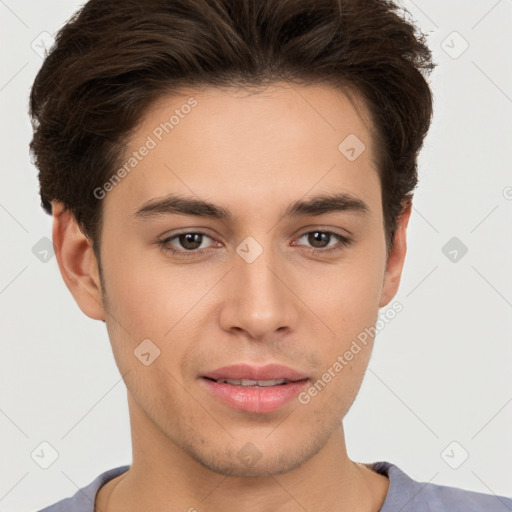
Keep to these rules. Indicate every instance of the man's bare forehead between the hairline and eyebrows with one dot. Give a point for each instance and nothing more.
(241, 144)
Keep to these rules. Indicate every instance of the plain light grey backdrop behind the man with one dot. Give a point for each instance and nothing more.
(440, 371)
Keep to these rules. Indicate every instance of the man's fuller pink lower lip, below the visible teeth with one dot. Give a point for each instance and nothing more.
(255, 399)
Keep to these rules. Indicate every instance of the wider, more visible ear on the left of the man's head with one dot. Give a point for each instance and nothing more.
(77, 262)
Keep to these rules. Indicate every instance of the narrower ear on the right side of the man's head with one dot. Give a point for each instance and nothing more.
(396, 258)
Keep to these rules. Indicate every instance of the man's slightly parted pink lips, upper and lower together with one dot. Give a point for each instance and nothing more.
(255, 399)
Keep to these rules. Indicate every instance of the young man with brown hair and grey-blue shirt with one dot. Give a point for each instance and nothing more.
(230, 183)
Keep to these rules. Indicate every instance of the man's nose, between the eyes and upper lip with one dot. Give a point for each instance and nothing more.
(259, 298)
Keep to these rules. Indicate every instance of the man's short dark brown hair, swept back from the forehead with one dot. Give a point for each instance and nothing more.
(113, 58)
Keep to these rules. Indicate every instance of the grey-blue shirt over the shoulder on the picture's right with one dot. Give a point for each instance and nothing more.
(408, 495)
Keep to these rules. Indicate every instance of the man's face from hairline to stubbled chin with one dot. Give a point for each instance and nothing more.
(249, 279)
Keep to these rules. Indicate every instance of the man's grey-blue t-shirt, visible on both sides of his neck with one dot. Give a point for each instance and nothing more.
(404, 495)
